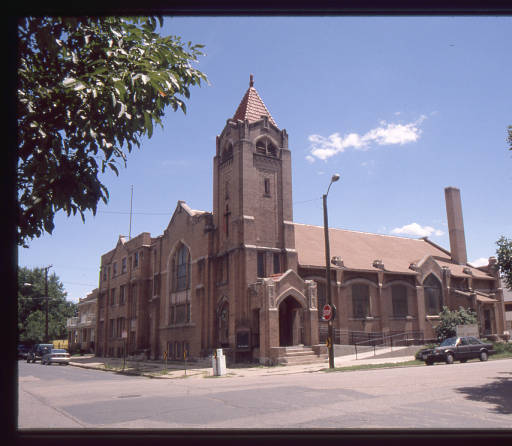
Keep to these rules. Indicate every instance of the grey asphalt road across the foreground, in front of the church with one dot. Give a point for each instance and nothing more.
(471, 395)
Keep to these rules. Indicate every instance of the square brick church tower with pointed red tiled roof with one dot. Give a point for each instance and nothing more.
(252, 210)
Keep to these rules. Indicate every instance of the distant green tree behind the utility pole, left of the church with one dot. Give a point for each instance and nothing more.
(32, 306)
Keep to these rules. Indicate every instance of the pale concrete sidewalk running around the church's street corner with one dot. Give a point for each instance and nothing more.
(157, 369)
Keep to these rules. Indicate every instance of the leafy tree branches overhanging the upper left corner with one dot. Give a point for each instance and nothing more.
(88, 90)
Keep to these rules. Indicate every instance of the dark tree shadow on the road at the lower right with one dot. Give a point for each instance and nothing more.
(498, 393)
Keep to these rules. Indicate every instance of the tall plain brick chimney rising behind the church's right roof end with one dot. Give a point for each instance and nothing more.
(455, 225)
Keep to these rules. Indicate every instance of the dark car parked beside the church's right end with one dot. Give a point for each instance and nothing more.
(456, 349)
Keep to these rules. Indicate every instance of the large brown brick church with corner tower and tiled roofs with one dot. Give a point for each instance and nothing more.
(247, 278)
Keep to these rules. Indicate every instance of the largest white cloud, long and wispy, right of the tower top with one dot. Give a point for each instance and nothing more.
(386, 134)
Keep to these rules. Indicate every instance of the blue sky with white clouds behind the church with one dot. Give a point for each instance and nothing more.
(400, 107)
